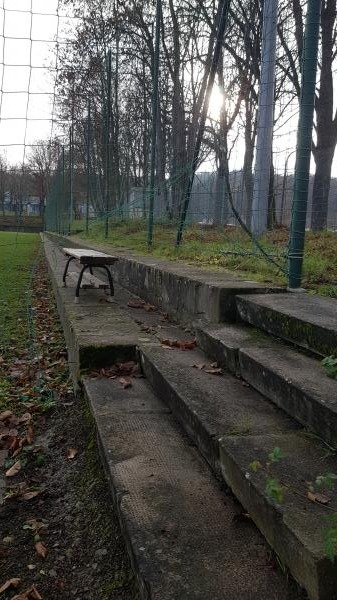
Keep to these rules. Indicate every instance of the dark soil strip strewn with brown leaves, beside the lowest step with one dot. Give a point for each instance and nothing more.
(59, 531)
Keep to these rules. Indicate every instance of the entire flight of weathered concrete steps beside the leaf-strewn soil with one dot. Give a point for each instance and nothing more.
(161, 485)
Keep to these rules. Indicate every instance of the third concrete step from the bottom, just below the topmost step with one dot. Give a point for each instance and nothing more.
(295, 382)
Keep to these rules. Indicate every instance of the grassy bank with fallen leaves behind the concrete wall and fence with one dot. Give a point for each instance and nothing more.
(227, 249)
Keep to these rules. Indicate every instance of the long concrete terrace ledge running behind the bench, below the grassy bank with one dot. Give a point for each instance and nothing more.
(185, 292)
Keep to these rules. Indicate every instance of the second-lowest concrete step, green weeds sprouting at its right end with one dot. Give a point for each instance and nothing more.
(233, 426)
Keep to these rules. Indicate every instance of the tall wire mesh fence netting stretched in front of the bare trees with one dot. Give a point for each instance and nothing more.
(83, 162)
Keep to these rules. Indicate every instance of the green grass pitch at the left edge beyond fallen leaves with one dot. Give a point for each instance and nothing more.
(19, 252)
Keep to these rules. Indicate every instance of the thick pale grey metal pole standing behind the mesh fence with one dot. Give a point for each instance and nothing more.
(265, 119)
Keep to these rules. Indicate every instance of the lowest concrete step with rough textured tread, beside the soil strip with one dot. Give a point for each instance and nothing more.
(182, 531)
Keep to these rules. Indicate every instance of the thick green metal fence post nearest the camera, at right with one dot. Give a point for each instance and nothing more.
(304, 141)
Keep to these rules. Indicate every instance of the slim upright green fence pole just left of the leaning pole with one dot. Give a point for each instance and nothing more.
(154, 123)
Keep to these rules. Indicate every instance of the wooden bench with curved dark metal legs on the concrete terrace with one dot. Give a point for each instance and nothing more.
(88, 259)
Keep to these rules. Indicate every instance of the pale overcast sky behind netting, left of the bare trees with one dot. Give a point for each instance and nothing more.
(28, 30)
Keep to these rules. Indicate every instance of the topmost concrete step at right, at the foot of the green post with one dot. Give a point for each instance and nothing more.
(308, 321)
